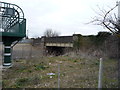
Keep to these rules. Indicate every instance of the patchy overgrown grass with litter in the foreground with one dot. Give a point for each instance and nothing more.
(75, 72)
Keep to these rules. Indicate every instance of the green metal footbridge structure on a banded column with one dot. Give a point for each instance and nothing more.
(12, 28)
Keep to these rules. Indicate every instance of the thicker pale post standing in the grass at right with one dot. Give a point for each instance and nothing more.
(100, 74)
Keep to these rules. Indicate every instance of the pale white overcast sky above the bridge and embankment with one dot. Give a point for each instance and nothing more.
(64, 16)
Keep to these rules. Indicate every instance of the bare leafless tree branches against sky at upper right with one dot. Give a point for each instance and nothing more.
(108, 20)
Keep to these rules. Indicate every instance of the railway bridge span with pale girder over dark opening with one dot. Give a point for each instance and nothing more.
(57, 45)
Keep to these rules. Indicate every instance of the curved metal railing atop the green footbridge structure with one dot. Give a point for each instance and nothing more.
(10, 14)
